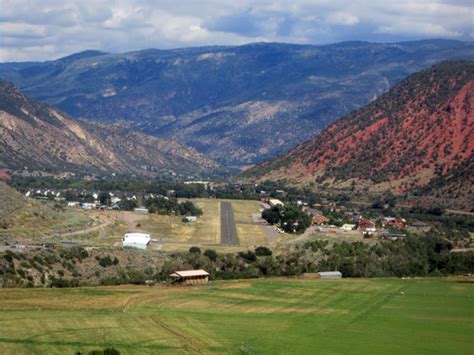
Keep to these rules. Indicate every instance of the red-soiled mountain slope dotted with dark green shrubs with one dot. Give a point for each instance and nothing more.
(419, 136)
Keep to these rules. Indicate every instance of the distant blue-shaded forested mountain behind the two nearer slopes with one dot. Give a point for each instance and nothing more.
(237, 105)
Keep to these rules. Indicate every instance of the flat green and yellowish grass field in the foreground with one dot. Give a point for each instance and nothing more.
(378, 316)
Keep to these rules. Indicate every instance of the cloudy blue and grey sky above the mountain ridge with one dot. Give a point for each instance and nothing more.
(49, 29)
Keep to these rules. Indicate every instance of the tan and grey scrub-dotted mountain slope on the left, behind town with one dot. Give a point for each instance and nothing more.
(38, 137)
